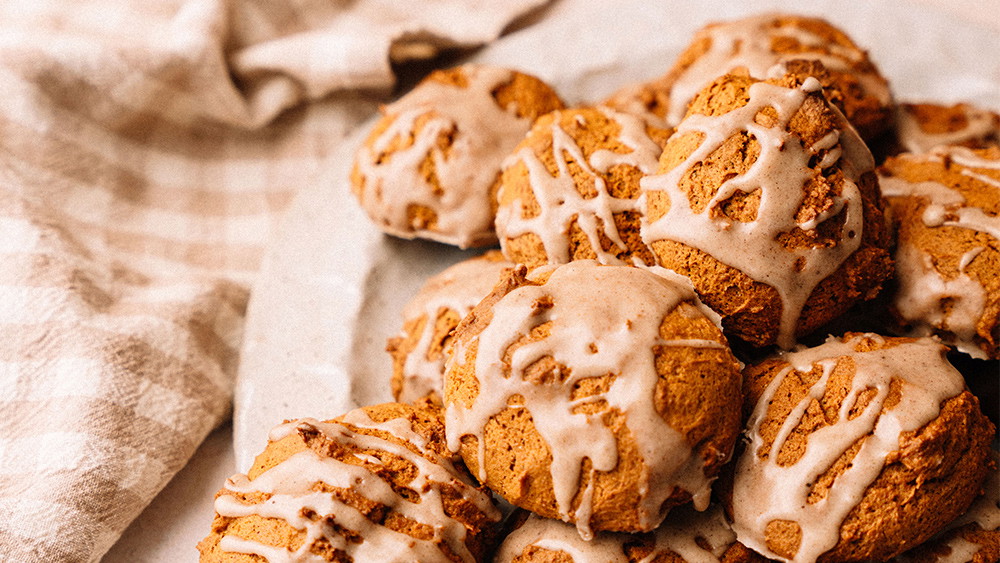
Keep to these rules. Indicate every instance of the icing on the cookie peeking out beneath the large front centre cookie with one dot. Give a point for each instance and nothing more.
(678, 534)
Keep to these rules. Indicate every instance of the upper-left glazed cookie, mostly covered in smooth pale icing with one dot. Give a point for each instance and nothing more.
(430, 166)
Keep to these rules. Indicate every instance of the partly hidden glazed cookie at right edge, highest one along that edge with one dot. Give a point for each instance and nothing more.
(921, 127)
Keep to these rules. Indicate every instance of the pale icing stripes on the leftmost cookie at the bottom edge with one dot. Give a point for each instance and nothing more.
(293, 499)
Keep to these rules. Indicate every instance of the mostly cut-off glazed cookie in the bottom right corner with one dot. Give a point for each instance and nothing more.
(973, 538)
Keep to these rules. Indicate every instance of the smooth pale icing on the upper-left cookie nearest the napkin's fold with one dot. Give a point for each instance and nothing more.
(485, 134)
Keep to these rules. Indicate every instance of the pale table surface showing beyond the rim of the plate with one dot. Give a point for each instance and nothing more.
(181, 514)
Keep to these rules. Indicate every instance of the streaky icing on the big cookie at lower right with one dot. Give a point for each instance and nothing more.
(765, 491)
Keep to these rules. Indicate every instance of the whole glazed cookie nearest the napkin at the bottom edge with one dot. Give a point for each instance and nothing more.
(376, 484)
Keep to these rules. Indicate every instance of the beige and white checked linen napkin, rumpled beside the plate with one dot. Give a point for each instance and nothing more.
(147, 150)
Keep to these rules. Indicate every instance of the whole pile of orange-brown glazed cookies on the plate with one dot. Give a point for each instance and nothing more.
(723, 324)
